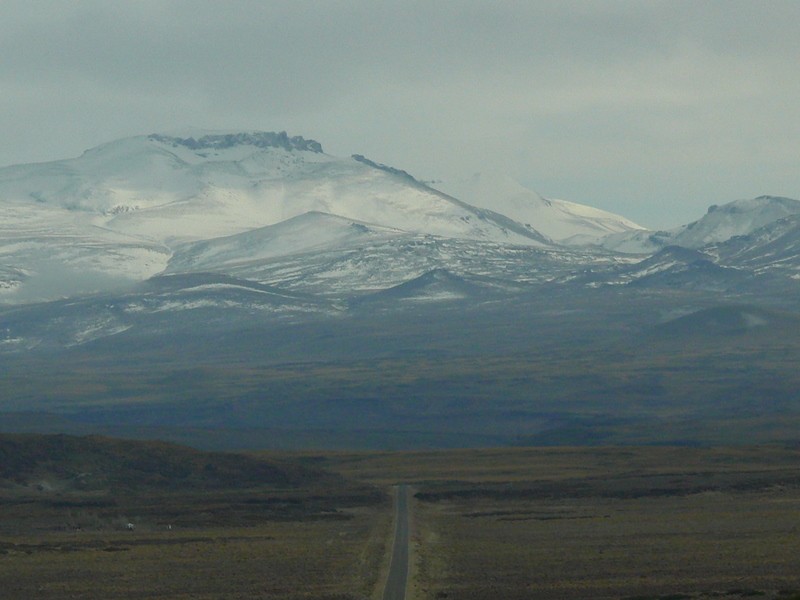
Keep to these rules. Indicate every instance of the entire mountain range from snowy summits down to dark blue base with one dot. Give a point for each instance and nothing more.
(204, 282)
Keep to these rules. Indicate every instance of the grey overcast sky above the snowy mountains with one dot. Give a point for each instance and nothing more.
(654, 110)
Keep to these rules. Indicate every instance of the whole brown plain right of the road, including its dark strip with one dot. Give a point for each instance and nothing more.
(650, 523)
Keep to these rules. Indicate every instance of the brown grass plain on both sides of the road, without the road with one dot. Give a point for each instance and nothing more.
(647, 523)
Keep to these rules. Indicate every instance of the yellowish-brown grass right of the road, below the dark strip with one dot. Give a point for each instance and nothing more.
(702, 545)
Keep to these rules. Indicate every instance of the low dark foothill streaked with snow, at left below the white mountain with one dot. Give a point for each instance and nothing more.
(198, 302)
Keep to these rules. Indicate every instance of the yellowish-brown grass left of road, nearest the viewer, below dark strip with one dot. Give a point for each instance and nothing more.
(319, 560)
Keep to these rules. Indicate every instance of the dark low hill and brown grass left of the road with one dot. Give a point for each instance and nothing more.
(202, 525)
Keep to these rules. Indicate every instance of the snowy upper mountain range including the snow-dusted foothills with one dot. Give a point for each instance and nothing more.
(282, 229)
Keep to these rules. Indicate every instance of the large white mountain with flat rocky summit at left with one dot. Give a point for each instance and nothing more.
(119, 212)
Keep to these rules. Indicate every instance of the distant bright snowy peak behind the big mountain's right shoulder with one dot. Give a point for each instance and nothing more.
(563, 221)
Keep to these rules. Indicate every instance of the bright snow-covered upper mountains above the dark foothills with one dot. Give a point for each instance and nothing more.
(277, 210)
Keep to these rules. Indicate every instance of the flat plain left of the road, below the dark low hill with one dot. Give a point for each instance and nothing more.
(314, 543)
